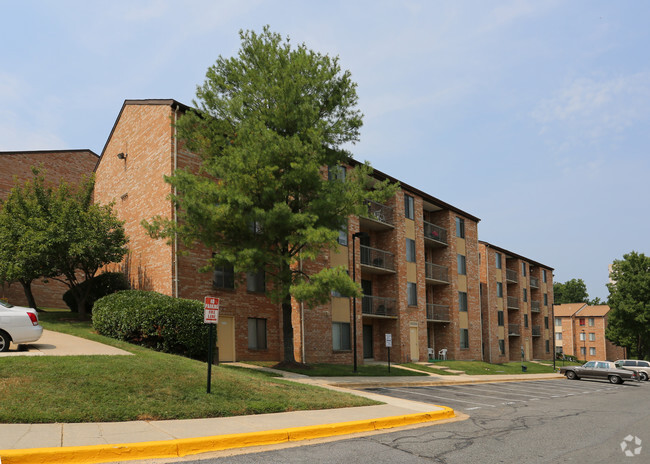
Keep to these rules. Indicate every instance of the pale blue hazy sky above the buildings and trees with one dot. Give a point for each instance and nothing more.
(532, 115)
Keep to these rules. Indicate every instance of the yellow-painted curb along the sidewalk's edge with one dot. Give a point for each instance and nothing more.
(188, 446)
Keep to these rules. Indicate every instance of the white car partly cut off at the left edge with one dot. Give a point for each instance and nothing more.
(18, 325)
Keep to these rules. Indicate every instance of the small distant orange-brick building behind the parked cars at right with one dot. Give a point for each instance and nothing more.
(580, 331)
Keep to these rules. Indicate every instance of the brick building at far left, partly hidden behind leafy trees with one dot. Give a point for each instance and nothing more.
(57, 165)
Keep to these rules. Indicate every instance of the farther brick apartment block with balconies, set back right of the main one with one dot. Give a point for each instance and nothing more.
(516, 299)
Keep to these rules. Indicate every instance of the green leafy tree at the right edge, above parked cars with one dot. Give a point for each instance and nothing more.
(629, 298)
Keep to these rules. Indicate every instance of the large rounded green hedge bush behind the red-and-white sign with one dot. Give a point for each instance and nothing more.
(172, 325)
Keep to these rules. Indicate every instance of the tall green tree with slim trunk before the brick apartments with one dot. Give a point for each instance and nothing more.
(269, 122)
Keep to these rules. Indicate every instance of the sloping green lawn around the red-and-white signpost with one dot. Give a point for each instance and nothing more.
(146, 386)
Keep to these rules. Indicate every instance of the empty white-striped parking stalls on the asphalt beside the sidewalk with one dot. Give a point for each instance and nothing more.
(492, 395)
